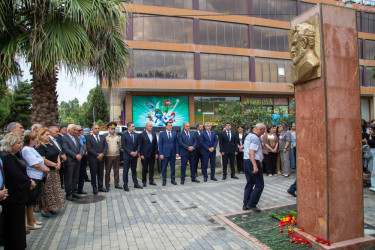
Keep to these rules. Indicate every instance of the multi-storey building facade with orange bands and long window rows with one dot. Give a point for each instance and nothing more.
(190, 56)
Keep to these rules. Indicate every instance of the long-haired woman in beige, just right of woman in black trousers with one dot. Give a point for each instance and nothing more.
(284, 148)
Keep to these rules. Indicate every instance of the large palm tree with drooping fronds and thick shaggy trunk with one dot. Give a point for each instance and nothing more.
(82, 35)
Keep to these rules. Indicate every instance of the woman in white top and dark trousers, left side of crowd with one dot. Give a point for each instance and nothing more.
(35, 169)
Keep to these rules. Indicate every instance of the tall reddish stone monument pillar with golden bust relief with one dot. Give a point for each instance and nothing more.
(323, 43)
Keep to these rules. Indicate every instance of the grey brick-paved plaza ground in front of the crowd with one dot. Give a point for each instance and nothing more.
(171, 217)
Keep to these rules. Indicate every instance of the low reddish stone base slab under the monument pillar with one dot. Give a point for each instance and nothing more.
(356, 243)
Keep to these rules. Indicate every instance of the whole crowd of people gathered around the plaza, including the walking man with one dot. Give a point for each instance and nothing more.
(36, 167)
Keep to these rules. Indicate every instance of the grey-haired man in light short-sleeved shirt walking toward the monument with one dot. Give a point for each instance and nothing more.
(253, 171)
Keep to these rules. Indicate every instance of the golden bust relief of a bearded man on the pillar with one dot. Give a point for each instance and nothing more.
(304, 45)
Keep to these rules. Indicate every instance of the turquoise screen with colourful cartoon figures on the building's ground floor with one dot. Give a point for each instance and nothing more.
(160, 109)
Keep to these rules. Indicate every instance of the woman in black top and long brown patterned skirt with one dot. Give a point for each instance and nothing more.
(52, 196)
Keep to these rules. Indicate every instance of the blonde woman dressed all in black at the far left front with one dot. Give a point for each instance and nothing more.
(18, 185)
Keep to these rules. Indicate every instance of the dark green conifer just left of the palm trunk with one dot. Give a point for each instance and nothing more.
(20, 107)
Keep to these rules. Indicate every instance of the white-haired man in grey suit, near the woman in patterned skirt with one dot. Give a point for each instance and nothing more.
(73, 151)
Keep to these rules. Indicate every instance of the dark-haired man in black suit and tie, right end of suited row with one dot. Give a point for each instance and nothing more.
(228, 150)
